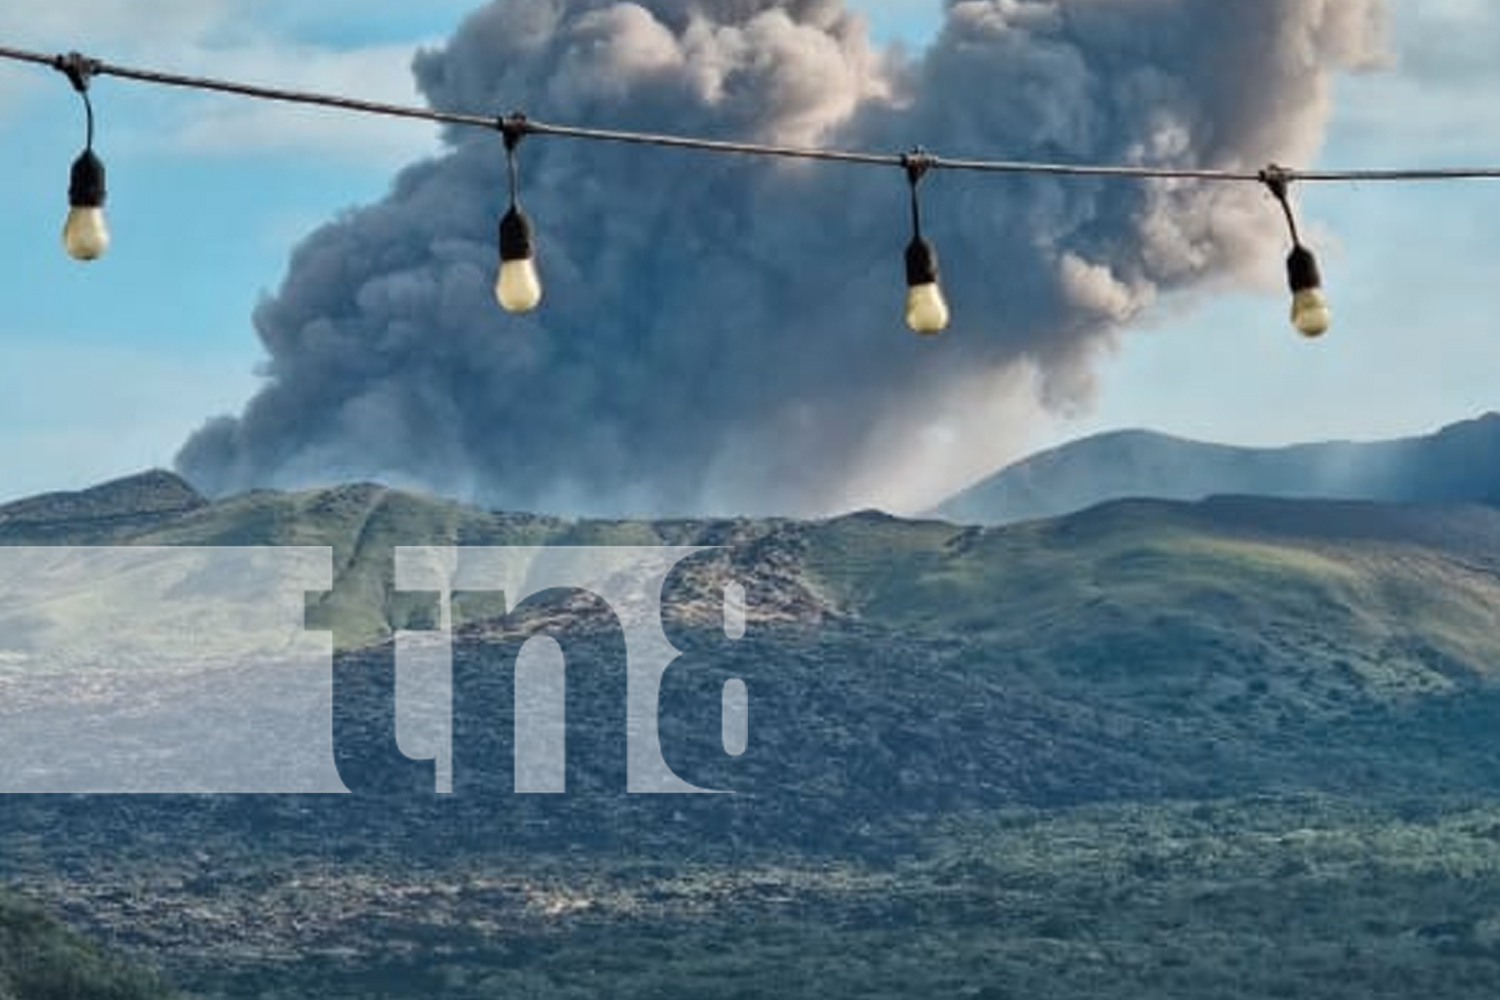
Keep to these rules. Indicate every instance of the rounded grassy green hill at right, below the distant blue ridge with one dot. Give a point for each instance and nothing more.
(1145, 599)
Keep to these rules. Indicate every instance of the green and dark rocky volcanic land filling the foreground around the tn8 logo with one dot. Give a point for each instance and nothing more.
(1234, 749)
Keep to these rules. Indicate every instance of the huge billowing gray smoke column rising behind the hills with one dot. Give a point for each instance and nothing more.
(725, 335)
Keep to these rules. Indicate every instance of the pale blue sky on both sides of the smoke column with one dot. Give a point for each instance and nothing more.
(107, 368)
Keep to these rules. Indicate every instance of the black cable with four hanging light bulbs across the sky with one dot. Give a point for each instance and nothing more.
(518, 286)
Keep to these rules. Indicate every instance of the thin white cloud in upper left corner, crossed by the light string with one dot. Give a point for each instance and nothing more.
(251, 41)
